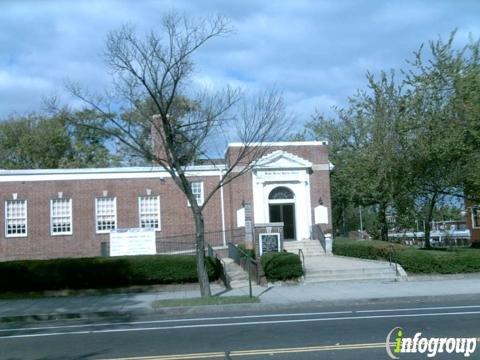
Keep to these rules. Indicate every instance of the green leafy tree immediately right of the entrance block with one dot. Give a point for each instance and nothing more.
(365, 149)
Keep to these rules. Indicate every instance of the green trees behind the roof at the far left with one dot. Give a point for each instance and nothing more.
(49, 142)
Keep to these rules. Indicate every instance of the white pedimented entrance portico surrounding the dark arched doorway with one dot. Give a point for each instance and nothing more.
(281, 193)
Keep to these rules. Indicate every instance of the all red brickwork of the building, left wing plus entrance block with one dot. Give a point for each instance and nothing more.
(175, 217)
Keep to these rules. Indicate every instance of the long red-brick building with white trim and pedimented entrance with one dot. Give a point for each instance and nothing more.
(70, 212)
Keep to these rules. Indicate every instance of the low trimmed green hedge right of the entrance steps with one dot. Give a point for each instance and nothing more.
(463, 260)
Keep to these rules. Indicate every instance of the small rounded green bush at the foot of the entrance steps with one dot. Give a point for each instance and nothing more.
(281, 266)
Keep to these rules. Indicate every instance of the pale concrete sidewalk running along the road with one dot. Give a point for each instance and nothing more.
(283, 294)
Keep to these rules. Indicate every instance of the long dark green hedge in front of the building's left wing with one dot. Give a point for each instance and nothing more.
(101, 272)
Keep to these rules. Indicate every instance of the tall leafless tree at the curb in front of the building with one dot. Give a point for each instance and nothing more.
(152, 77)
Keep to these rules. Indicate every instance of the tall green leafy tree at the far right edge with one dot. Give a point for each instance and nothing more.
(442, 125)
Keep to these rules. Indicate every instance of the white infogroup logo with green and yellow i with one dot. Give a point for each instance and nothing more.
(397, 344)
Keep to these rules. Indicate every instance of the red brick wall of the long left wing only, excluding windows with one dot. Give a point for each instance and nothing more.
(175, 216)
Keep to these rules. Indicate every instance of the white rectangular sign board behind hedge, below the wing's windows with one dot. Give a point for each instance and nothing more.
(135, 241)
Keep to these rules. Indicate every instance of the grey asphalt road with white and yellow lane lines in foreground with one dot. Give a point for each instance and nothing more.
(308, 332)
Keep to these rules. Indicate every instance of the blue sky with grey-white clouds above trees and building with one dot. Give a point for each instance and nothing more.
(316, 52)
